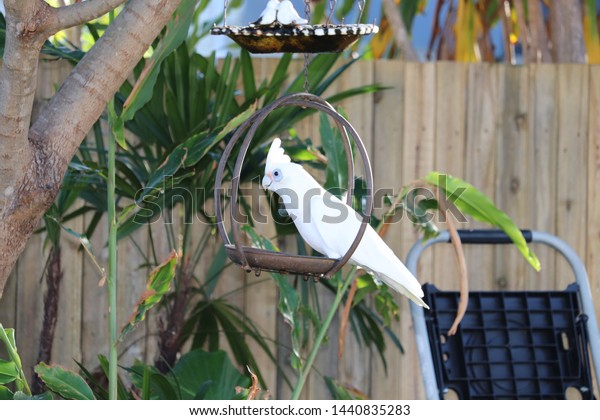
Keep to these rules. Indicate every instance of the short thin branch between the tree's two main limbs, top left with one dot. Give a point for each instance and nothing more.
(79, 13)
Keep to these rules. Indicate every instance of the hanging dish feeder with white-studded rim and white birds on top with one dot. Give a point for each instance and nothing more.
(282, 34)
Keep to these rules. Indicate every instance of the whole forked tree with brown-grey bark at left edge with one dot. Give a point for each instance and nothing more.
(33, 161)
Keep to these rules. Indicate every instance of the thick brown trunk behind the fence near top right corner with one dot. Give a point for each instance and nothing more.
(566, 24)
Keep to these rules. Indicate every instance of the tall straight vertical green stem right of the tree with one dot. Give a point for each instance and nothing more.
(112, 263)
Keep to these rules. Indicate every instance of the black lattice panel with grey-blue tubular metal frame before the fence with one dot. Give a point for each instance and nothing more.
(517, 344)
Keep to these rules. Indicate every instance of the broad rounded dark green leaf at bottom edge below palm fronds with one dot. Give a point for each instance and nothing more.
(198, 370)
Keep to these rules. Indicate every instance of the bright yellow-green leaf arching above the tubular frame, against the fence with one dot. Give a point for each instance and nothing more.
(480, 207)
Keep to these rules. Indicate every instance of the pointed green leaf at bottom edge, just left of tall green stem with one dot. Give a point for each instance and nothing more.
(63, 382)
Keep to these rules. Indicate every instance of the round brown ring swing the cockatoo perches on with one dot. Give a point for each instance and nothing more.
(254, 259)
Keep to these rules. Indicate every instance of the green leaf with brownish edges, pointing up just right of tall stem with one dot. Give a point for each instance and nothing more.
(159, 283)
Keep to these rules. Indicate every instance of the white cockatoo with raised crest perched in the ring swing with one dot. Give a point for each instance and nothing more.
(330, 226)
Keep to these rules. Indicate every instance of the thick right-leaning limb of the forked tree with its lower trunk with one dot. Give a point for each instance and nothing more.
(54, 137)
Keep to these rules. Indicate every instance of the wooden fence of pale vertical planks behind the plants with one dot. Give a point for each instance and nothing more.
(528, 136)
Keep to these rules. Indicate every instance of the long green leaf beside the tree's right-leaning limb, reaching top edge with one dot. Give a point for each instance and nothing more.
(176, 33)
